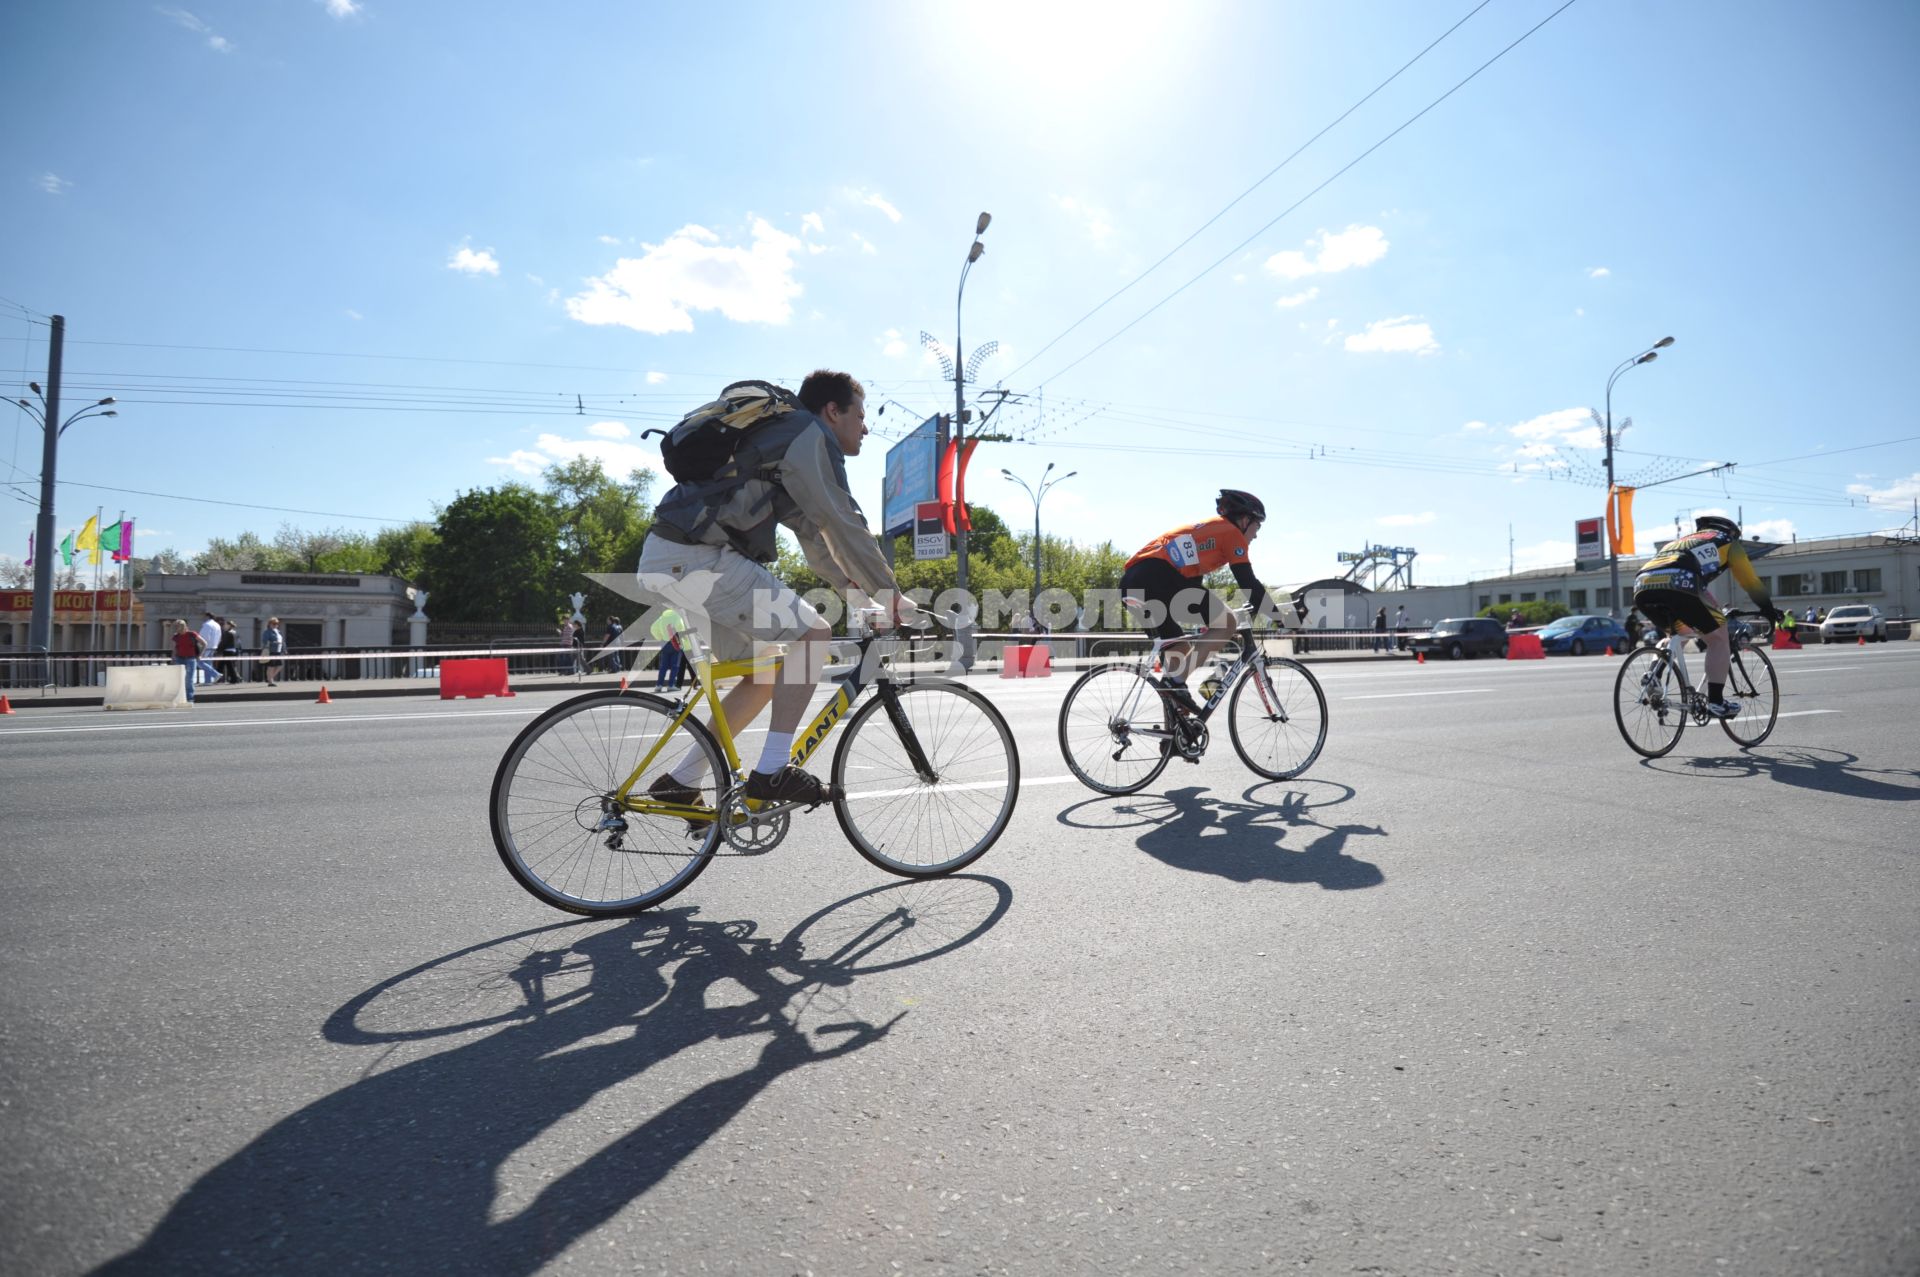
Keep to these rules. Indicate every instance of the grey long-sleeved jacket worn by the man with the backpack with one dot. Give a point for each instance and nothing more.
(790, 473)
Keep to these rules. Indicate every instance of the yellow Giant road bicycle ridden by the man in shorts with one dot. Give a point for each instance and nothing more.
(926, 779)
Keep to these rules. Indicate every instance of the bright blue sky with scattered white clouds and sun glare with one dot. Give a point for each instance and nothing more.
(354, 258)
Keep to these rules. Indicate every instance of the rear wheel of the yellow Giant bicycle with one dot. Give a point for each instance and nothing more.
(560, 827)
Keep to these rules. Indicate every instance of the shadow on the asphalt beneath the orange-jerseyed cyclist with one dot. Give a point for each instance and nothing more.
(1266, 836)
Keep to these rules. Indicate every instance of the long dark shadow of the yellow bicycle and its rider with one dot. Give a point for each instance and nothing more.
(402, 1169)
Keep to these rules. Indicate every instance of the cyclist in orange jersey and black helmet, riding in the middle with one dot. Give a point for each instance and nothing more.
(1164, 583)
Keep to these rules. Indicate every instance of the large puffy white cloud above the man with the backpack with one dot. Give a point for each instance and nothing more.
(694, 272)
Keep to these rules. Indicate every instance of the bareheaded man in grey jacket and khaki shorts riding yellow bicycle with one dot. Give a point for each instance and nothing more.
(708, 556)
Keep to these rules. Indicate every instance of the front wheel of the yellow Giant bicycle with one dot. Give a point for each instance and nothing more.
(928, 779)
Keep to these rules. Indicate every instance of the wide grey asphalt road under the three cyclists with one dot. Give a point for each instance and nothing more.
(1483, 994)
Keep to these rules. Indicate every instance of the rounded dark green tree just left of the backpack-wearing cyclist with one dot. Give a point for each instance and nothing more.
(496, 558)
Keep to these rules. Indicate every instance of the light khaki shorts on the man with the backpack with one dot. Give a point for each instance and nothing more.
(736, 606)
